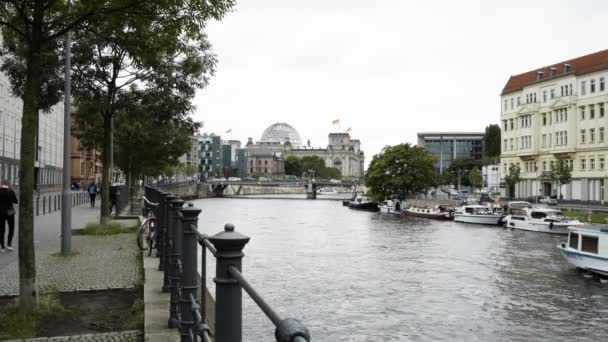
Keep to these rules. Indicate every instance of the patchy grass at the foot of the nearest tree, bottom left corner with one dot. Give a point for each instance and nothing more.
(13, 324)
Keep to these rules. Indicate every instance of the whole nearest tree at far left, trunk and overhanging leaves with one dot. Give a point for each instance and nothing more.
(31, 48)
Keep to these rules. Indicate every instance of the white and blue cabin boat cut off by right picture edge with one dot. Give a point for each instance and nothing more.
(587, 248)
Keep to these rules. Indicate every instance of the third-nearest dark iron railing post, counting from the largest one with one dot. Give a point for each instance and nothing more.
(175, 252)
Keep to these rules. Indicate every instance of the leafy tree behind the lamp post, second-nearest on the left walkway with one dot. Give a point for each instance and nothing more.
(161, 47)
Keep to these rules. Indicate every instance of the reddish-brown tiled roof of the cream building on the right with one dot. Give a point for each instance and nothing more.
(578, 66)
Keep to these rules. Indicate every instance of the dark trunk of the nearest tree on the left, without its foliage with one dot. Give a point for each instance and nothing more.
(29, 128)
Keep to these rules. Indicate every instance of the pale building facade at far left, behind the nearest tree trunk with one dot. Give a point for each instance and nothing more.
(49, 162)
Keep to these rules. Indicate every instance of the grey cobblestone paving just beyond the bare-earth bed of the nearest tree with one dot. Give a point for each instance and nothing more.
(99, 263)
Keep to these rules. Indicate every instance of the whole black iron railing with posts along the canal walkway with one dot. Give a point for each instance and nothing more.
(177, 240)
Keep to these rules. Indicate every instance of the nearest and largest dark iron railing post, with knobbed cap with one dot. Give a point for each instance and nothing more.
(228, 293)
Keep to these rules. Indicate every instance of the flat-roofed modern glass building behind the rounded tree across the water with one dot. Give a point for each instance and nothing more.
(447, 146)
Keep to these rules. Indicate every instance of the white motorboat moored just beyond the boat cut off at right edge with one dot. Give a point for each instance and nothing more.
(537, 219)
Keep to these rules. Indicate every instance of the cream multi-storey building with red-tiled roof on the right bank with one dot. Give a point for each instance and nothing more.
(558, 112)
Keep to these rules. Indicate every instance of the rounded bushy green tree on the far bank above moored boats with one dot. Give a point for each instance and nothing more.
(402, 169)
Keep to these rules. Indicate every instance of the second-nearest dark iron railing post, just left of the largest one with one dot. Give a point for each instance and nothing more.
(189, 282)
